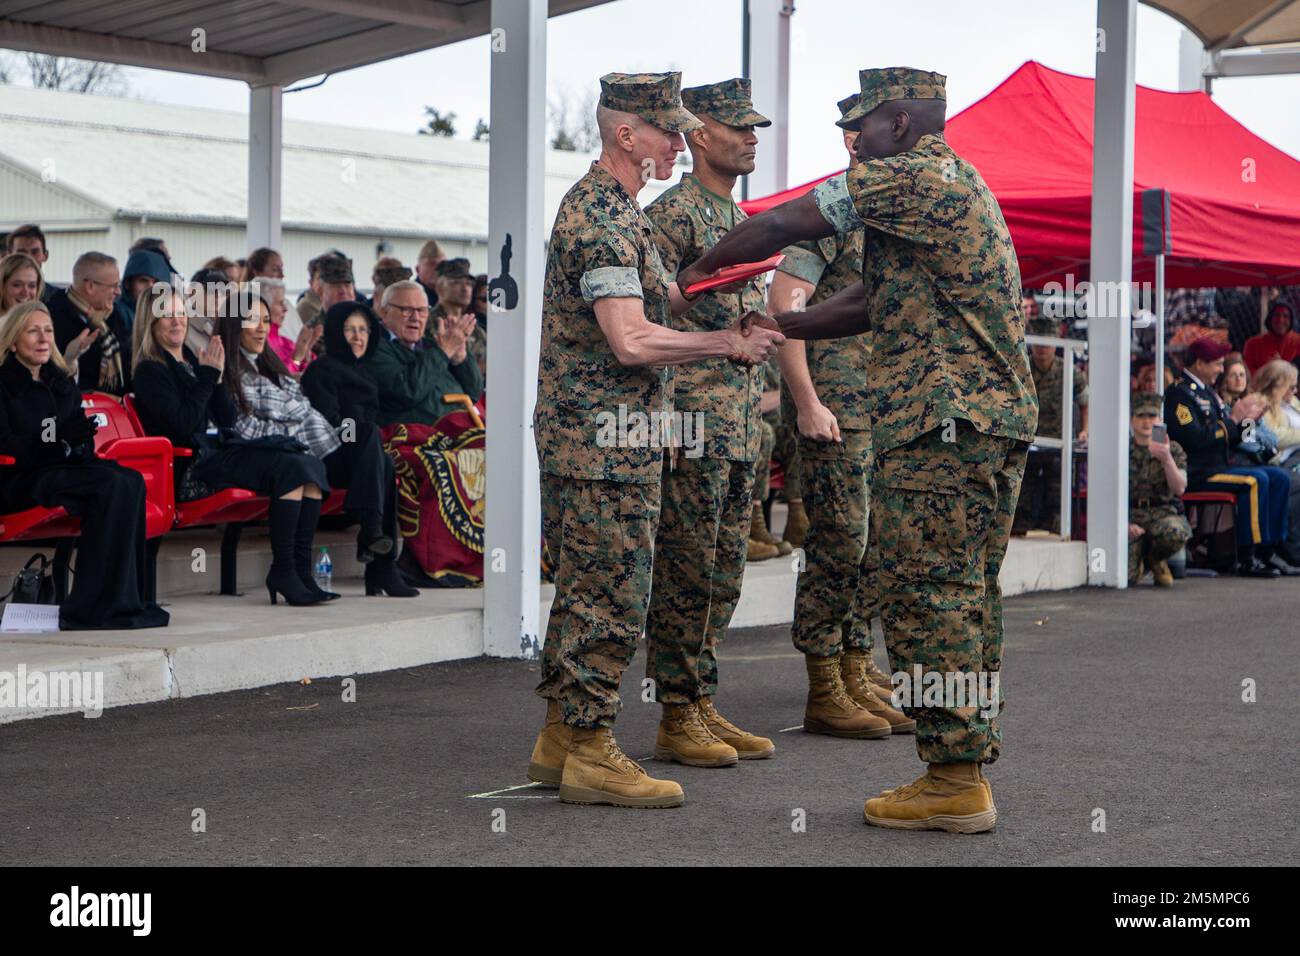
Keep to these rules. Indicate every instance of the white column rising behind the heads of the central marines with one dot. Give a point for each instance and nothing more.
(768, 64)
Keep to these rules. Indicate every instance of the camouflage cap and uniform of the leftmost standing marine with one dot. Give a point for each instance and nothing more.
(600, 499)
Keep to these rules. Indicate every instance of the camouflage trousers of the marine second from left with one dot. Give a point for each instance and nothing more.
(699, 566)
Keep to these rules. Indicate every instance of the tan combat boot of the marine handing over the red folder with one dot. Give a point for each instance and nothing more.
(955, 798)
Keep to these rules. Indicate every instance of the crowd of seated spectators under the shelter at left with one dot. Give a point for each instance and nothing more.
(289, 418)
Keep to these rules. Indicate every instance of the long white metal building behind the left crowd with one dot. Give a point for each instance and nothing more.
(101, 172)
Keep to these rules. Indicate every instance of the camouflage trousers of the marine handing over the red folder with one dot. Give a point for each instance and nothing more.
(942, 514)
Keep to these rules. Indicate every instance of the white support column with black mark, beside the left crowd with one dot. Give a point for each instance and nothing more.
(515, 265)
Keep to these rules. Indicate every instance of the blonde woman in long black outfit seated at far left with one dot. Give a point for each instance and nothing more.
(36, 391)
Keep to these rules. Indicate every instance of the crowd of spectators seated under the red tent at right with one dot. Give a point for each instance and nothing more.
(1230, 408)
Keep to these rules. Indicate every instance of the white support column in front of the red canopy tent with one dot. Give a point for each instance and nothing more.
(1110, 301)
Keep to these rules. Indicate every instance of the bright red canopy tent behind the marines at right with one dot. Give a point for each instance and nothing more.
(1225, 204)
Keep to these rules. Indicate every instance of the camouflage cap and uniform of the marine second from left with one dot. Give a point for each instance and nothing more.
(704, 520)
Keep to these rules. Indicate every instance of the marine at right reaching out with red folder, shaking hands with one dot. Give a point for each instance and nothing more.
(952, 412)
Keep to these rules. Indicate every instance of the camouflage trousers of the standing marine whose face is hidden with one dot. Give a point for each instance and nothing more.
(837, 595)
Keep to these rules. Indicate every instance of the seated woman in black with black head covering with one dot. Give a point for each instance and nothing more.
(340, 387)
